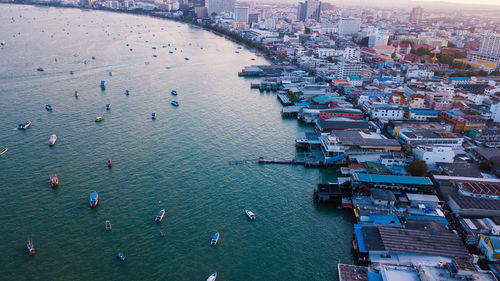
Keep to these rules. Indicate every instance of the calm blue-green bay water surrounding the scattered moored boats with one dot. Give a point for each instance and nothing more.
(177, 162)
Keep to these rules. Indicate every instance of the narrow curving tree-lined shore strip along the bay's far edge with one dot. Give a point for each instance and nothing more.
(148, 14)
